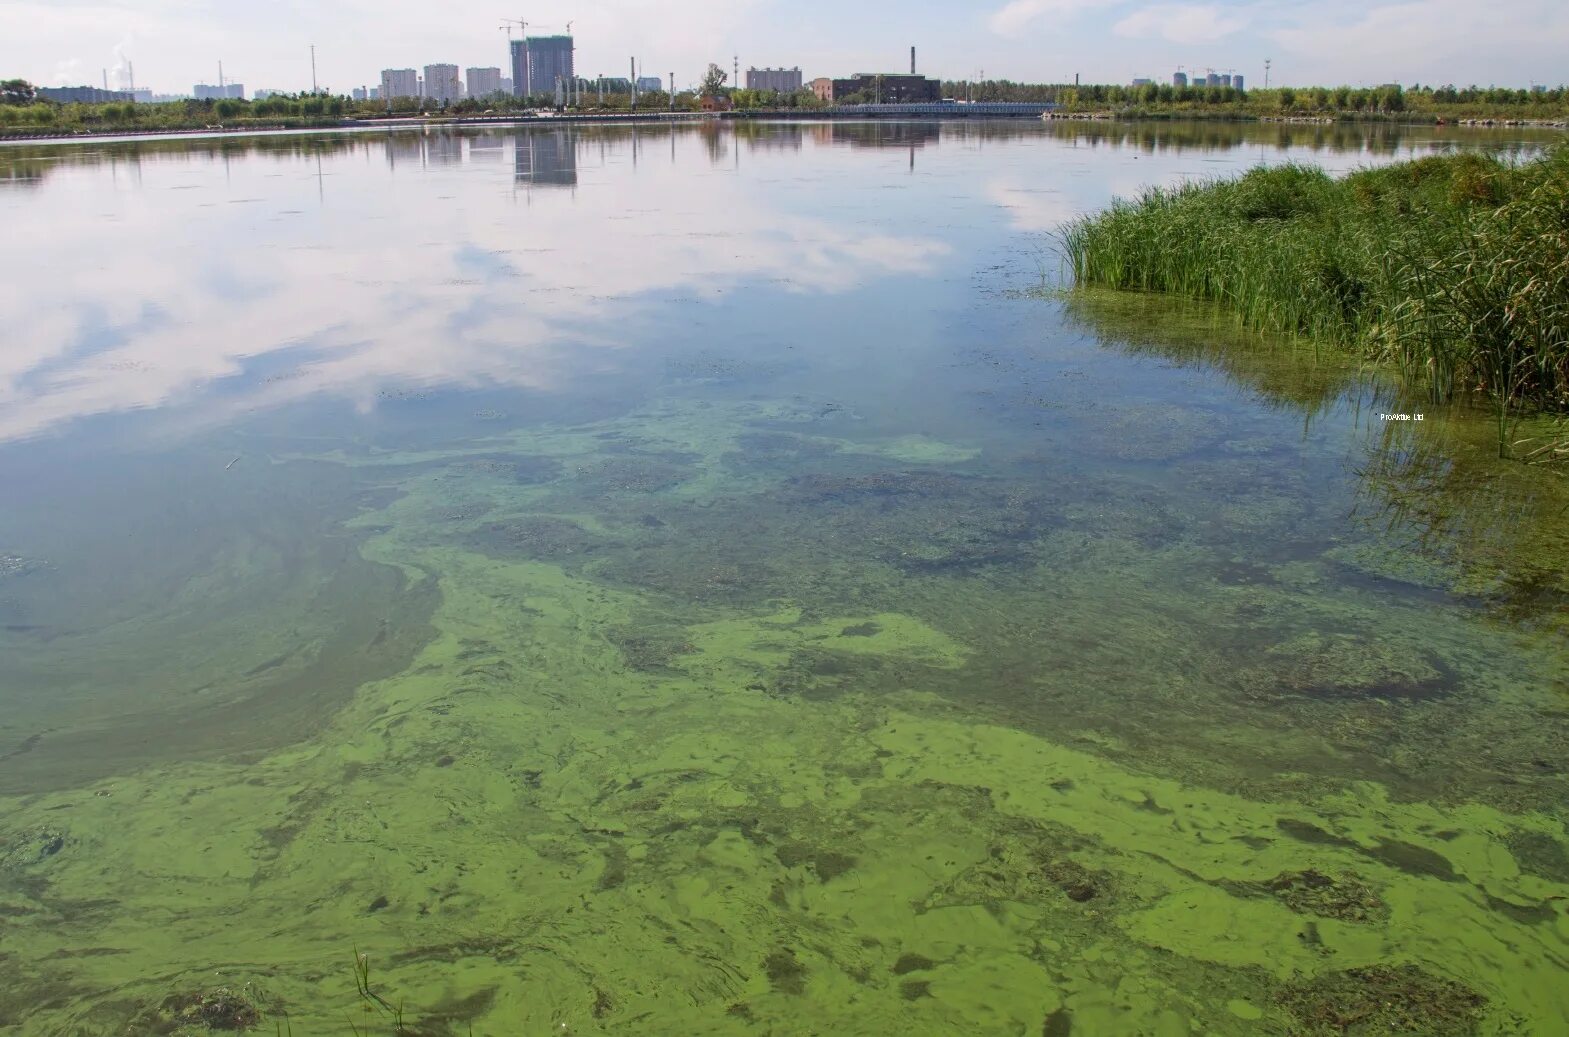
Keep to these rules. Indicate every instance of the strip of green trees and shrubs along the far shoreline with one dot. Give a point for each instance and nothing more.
(24, 115)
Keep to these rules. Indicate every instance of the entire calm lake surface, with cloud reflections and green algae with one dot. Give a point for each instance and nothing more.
(666, 581)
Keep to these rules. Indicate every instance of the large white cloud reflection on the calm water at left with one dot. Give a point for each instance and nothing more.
(398, 261)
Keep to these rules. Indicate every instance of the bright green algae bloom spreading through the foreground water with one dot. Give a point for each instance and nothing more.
(835, 793)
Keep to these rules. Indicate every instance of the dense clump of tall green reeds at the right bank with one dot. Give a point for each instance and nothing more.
(1455, 269)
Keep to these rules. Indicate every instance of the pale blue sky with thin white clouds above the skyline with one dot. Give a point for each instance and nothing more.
(173, 45)
